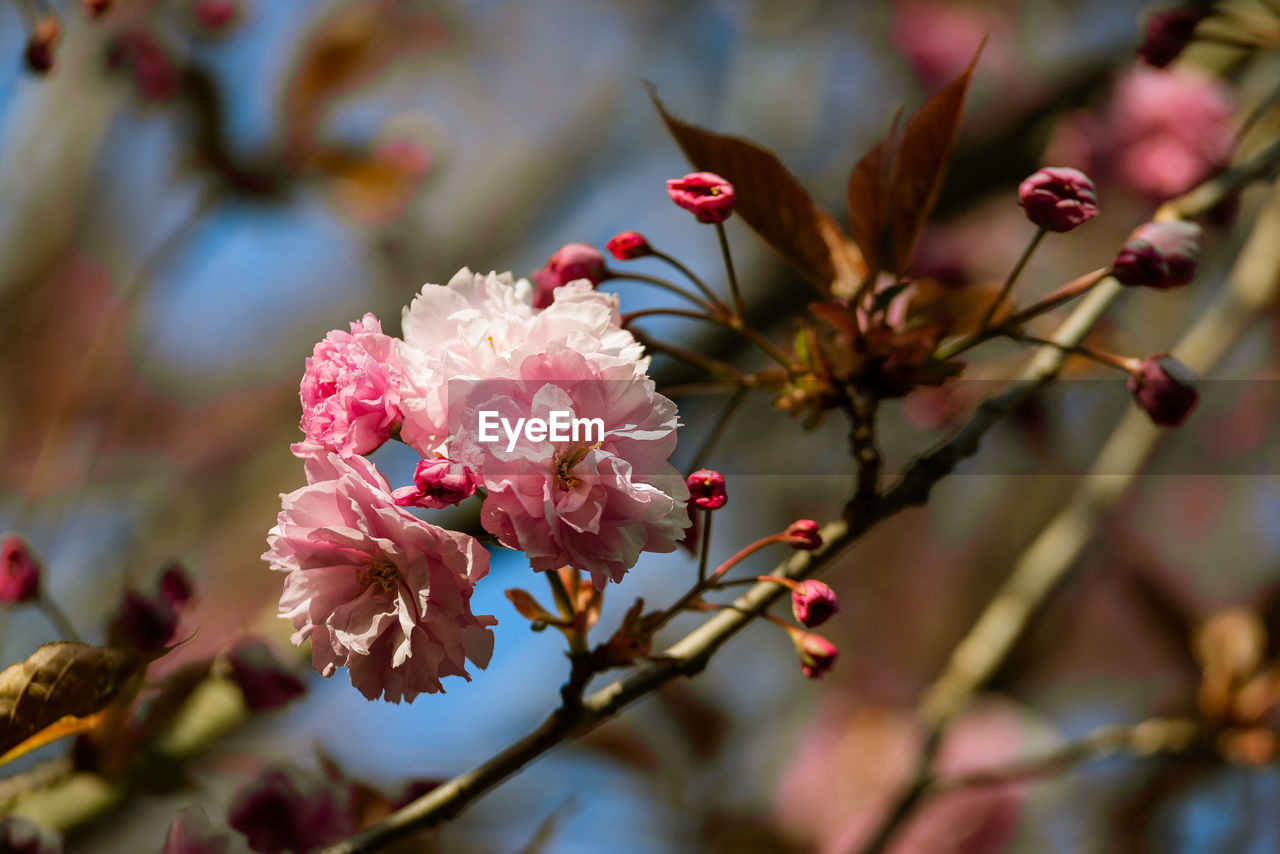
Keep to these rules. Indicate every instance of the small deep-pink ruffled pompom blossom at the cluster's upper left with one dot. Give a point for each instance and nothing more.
(350, 392)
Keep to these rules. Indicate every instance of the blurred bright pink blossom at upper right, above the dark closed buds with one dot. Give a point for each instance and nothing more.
(1163, 133)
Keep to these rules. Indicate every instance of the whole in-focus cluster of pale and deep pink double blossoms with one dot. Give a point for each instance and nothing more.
(387, 595)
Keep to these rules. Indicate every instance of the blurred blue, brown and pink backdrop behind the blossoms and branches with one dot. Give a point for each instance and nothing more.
(198, 191)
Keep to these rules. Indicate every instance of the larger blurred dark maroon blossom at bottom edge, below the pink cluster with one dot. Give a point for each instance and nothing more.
(285, 810)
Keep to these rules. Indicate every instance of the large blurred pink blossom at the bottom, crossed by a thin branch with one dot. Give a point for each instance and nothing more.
(853, 761)
